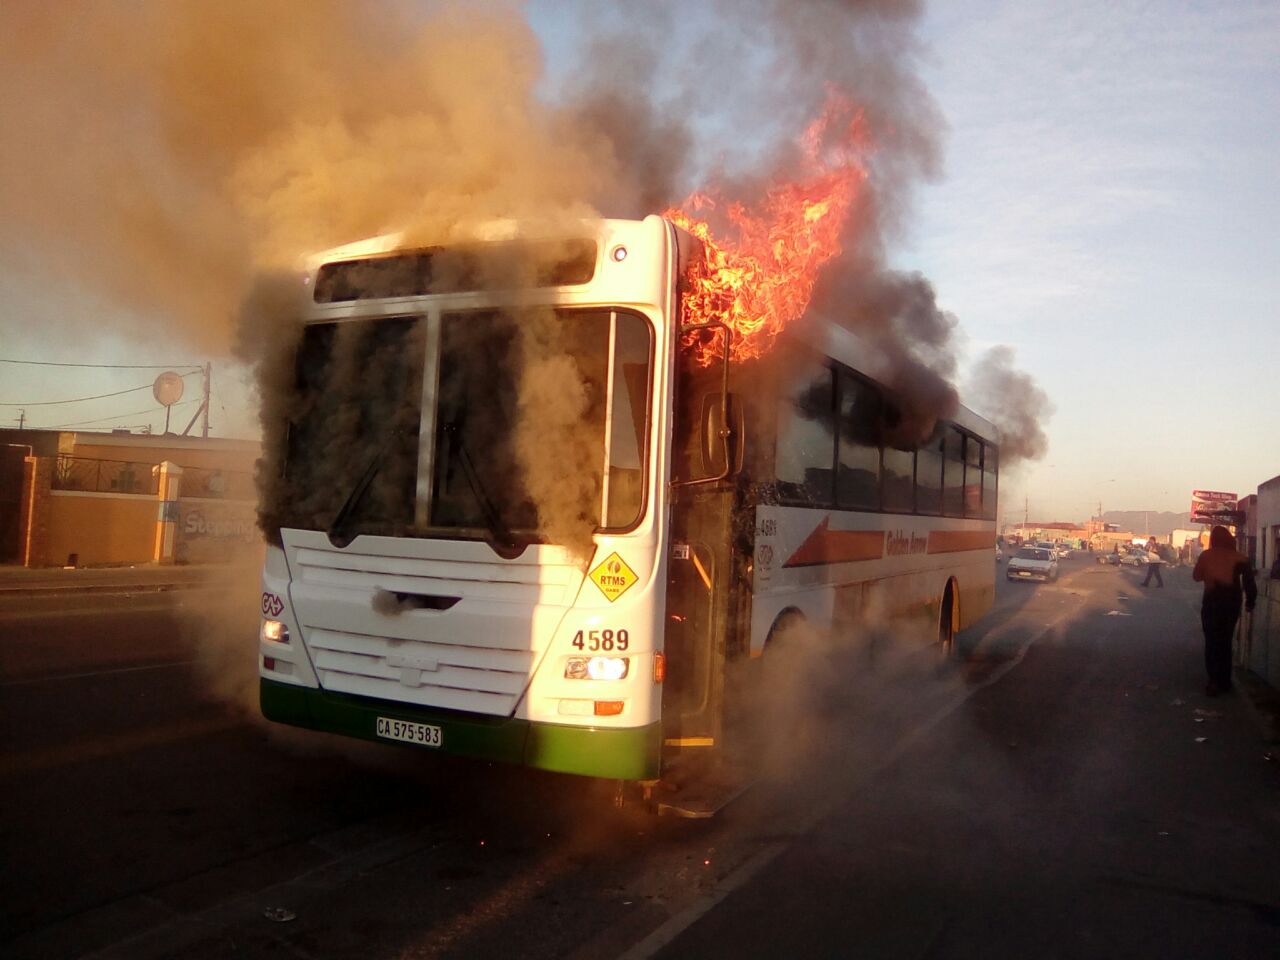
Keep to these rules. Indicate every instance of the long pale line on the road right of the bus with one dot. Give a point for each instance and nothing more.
(687, 918)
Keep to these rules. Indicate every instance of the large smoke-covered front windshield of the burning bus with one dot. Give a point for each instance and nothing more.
(360, 432)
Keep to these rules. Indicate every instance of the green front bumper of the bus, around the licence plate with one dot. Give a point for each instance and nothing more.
(615, 753)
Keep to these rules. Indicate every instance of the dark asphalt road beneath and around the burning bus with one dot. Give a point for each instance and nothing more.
(1046, 796)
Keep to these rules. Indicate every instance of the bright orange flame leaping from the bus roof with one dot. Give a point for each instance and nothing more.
(761, 281)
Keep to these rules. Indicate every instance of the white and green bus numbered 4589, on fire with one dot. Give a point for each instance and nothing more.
(412, 597)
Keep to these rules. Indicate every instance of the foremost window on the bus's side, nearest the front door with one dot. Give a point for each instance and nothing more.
(806, 438)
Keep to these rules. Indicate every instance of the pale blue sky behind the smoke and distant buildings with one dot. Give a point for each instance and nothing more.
(1107, 207)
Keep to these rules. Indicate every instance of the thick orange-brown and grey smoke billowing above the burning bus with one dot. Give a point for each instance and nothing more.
(159, 157)
